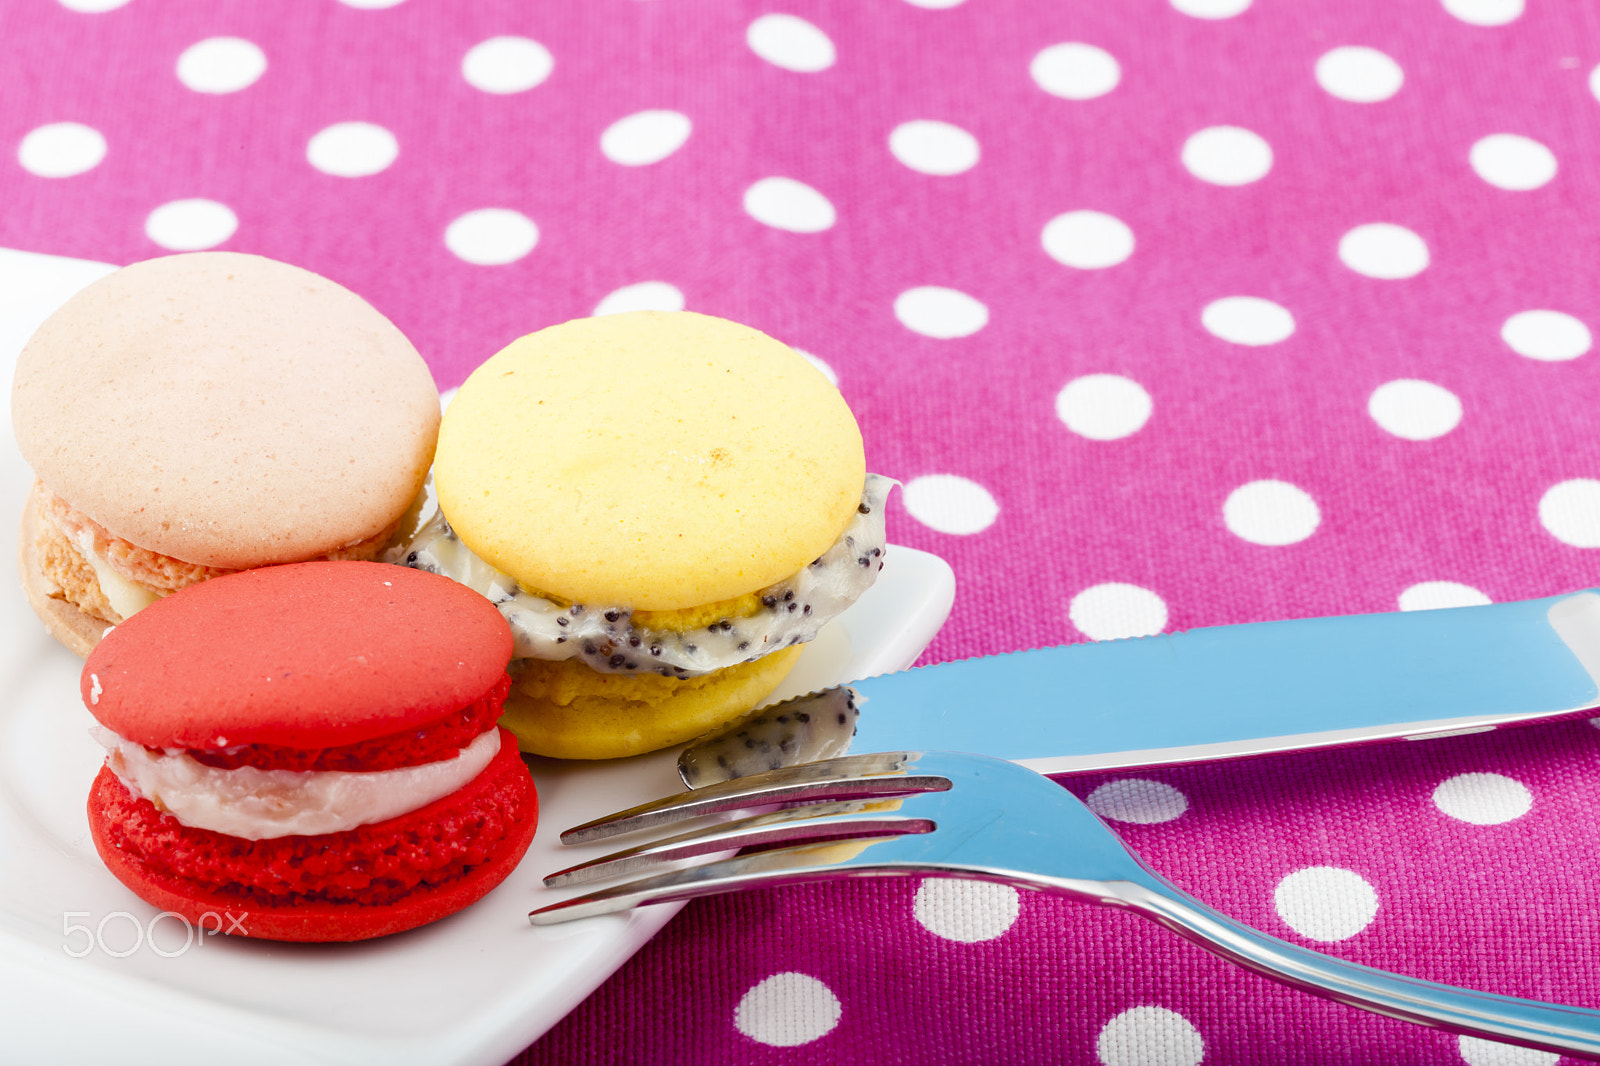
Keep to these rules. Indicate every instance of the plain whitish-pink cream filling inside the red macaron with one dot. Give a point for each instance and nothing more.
(265, 804)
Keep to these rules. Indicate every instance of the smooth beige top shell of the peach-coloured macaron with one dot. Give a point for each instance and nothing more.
(226, 411)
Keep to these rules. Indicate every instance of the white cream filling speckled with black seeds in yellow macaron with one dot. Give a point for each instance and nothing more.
(620, 639)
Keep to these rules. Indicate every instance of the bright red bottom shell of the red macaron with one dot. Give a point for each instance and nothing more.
(319, 921)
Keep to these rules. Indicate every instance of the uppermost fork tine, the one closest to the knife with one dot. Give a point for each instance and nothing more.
(854, 777)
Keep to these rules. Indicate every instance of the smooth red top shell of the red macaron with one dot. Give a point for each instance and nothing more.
(305, 655)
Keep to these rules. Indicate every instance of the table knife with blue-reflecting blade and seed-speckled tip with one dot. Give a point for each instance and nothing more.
(1207, 694)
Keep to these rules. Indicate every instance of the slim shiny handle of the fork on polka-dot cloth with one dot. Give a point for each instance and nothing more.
(1526, 1022)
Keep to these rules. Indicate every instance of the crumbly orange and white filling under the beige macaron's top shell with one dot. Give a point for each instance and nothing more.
(113, 579)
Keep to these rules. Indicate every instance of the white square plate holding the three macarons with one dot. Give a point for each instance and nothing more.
(86, 974)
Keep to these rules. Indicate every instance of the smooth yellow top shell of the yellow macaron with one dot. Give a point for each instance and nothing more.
(652, 460)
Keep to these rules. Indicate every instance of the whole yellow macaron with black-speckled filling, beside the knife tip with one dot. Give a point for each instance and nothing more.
(663, 471)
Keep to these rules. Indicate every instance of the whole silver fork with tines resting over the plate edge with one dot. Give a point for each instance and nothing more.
(943, 814)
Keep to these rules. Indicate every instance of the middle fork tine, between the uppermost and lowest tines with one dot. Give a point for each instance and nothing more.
(798, 825)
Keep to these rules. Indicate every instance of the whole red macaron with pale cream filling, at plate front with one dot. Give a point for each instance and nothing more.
(310, 751)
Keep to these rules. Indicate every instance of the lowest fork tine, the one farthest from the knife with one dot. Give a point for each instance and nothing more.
(788, 867)
